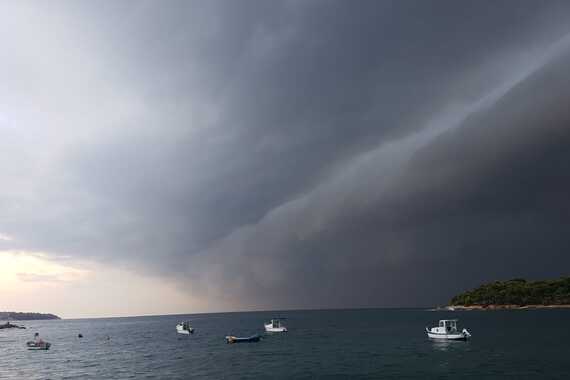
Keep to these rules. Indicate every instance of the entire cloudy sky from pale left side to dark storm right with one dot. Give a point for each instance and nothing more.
(162, 157)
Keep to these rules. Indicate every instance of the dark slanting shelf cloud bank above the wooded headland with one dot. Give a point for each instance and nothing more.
(484, 201)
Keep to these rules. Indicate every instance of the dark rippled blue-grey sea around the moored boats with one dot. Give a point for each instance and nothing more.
(321, 344)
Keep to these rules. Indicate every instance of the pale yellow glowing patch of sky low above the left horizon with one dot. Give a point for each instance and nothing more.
(32, 282)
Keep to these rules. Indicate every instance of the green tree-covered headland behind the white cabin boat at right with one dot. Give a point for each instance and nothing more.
(515, 294)
